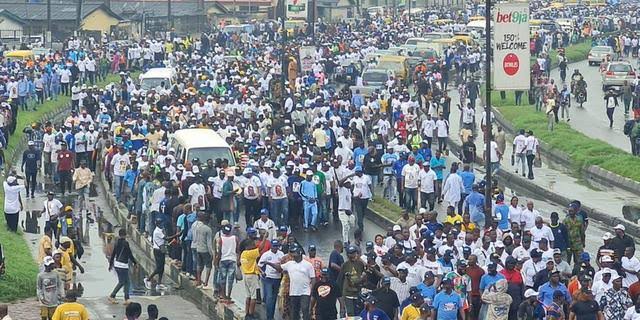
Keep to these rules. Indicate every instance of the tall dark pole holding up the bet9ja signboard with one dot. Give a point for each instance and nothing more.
(488, 192)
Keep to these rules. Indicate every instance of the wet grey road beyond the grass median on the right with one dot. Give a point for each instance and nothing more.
(592, 119)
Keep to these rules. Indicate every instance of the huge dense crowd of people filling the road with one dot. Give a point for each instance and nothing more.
(308, 152)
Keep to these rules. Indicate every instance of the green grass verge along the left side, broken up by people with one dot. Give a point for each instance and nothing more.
(20, 280)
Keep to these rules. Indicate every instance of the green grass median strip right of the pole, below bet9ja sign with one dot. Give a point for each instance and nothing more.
(582, 150)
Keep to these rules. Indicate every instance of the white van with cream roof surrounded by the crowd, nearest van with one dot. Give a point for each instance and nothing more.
(203, 144)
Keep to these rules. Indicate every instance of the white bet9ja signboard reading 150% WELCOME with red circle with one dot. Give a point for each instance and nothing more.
(511, 46)
